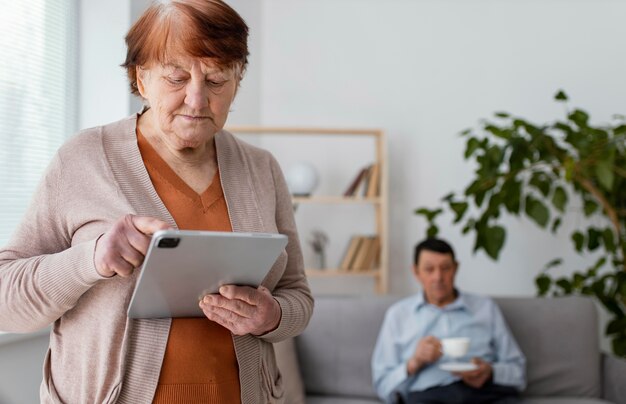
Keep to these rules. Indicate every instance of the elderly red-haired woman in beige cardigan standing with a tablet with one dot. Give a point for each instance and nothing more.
(72, 261)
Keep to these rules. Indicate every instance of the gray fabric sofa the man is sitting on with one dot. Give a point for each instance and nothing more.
(559, 337)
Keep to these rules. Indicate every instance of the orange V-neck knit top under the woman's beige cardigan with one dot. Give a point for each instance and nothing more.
(199, 365)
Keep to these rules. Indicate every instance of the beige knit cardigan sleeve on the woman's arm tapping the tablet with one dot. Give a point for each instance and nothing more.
(42, 275)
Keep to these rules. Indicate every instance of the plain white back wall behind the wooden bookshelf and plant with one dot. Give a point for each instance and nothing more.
(425, 70)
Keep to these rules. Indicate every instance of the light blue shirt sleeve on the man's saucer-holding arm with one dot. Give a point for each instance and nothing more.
(509, 369)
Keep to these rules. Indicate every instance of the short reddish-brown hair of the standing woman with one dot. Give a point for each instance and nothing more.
(199, 28)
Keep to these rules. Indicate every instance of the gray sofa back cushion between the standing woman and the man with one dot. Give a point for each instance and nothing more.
(336, 348)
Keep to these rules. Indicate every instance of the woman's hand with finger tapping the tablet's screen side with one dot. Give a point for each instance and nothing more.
(122, 249)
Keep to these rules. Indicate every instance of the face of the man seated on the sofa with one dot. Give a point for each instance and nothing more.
(436, 272)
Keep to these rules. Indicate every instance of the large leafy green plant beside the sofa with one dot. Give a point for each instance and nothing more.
(541, 172)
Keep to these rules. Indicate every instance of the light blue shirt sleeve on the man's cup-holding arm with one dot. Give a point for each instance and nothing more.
(388, 367)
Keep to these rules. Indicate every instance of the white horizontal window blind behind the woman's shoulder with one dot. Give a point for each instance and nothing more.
(38, 96)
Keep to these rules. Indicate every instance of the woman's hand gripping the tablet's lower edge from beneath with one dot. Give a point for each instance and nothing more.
(242, 309)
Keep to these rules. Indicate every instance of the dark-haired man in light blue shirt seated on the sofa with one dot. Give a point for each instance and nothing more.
(408, 352)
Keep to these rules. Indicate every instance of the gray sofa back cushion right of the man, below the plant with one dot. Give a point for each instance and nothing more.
(559, 337)
